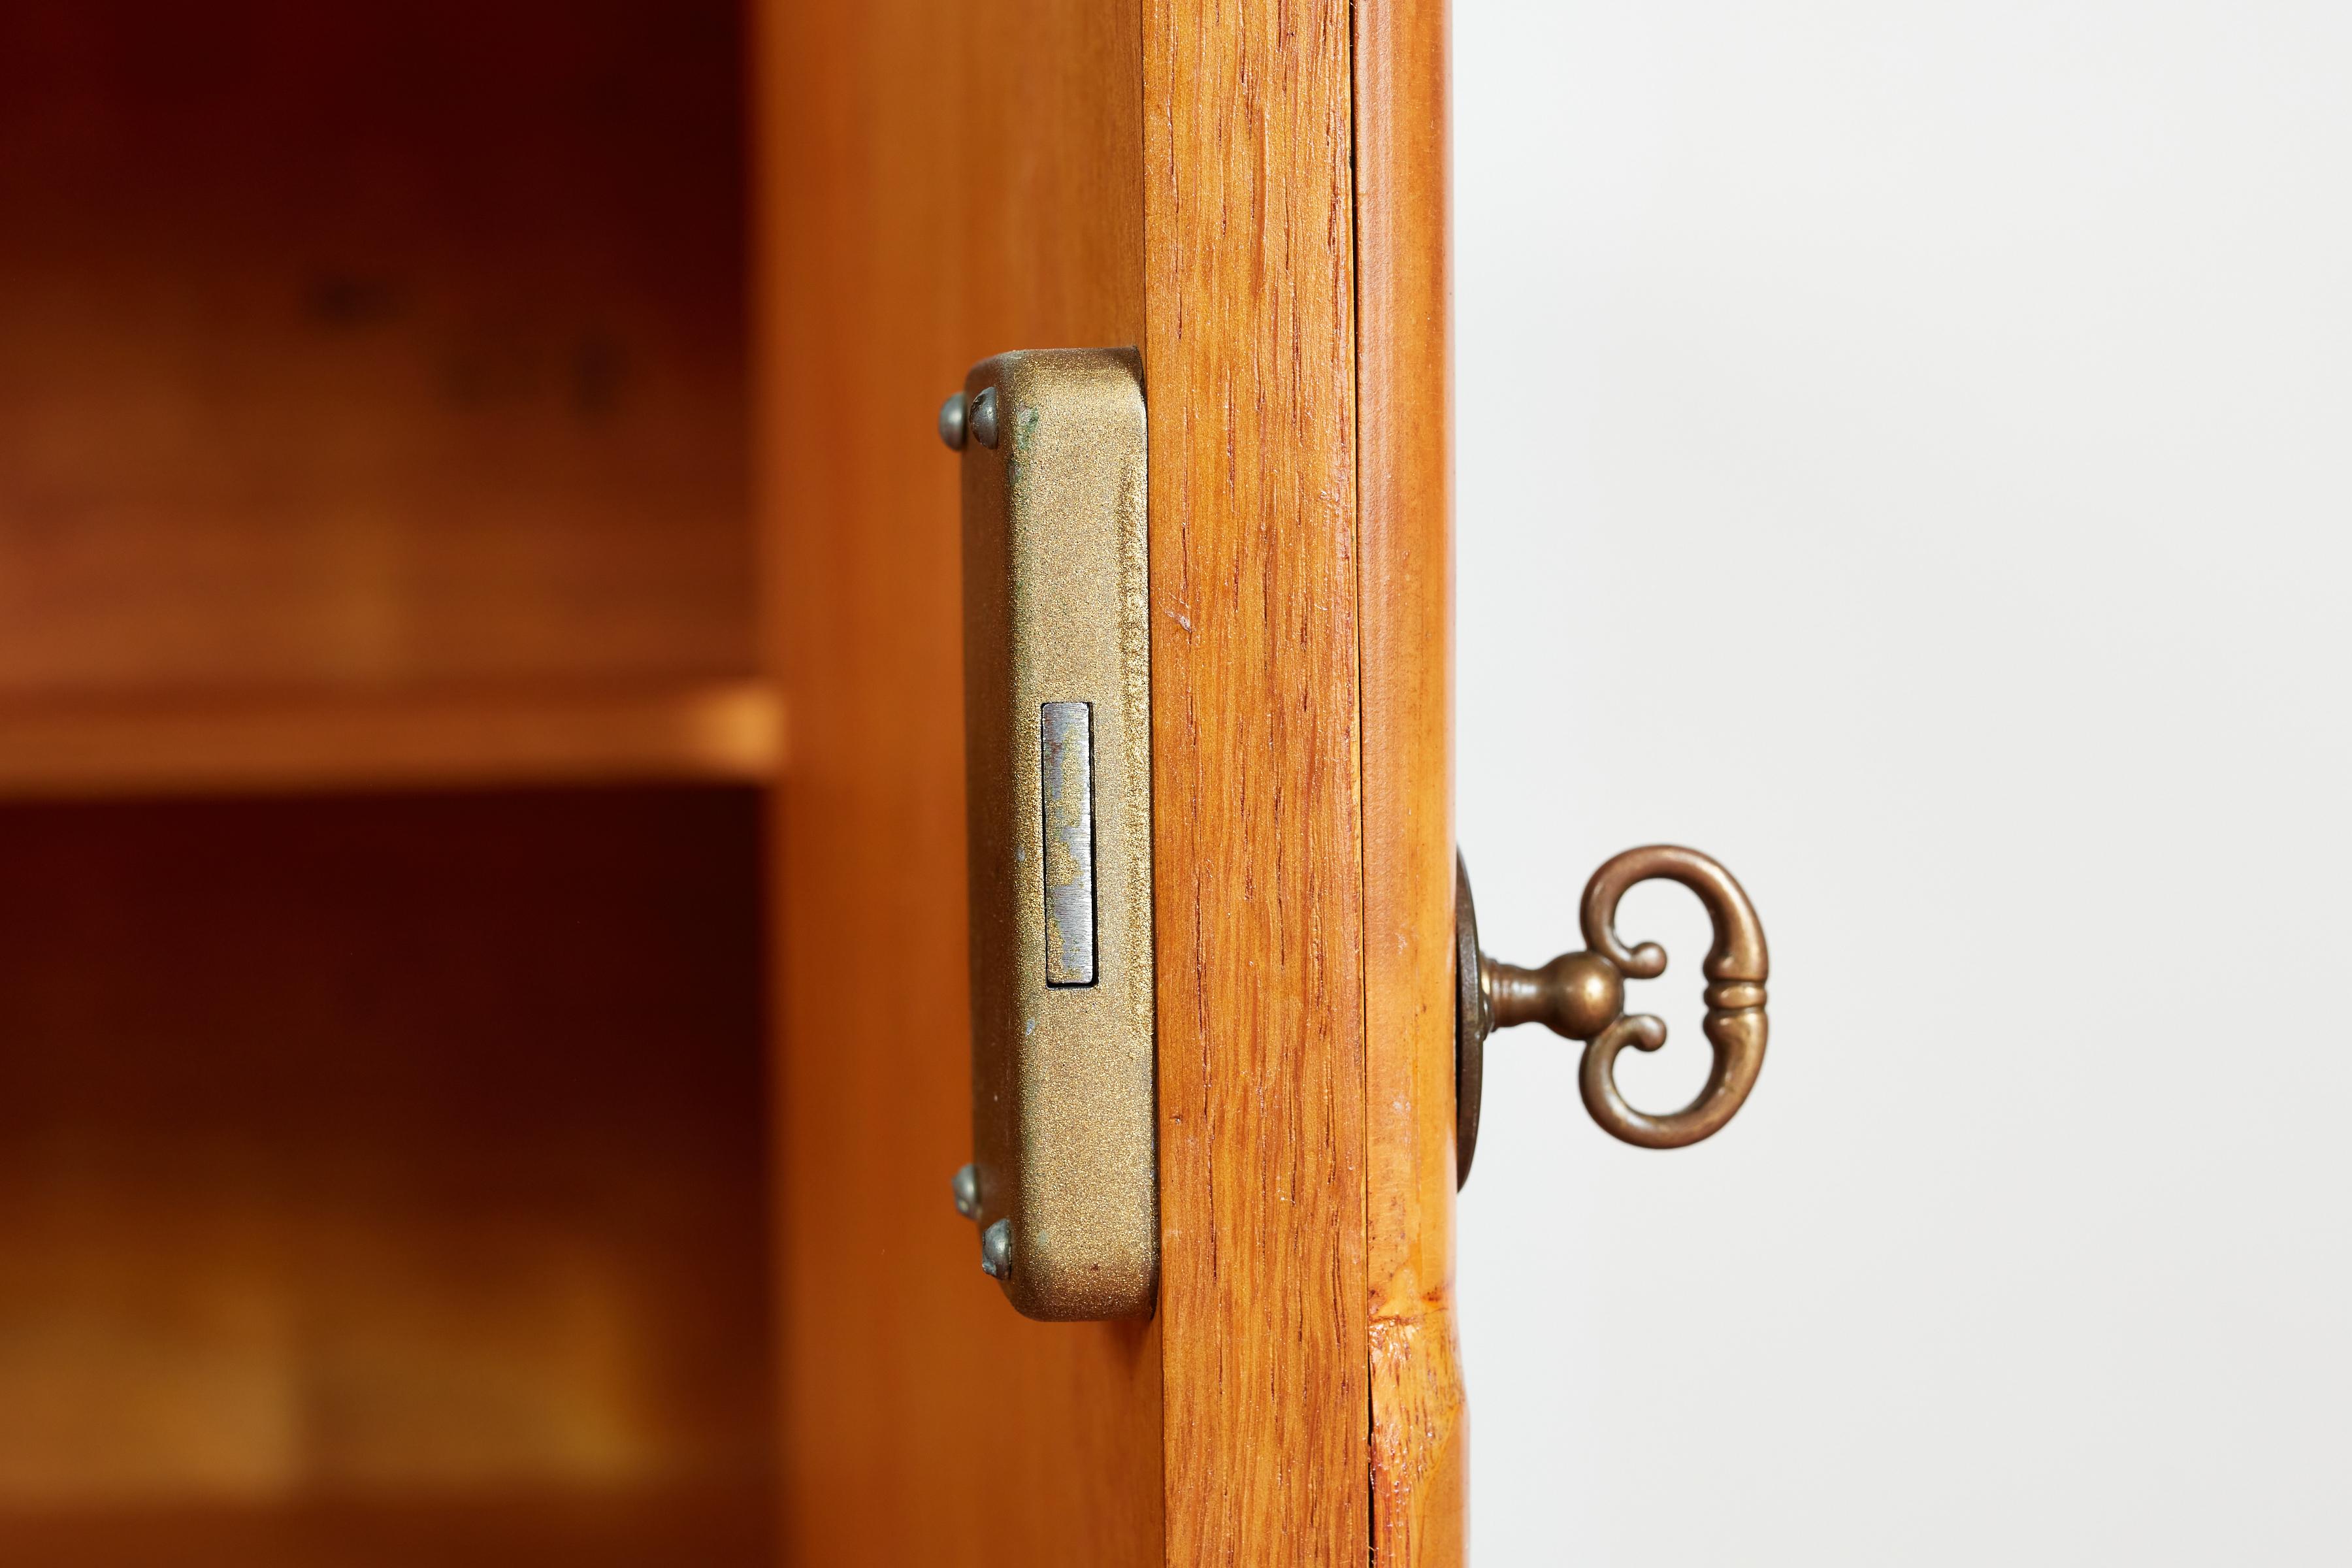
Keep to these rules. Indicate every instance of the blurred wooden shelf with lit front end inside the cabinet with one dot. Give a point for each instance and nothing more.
(347, 742)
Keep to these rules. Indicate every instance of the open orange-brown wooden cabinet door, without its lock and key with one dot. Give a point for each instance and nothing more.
(1252, 196)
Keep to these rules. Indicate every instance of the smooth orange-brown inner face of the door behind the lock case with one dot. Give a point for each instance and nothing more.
(937, 185)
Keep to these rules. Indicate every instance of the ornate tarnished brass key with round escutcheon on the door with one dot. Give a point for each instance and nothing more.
(1582, 996)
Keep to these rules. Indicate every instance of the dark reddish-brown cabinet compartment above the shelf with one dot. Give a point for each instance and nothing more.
(370, 344)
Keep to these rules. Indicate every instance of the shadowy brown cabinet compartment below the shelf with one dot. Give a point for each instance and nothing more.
(382, 1172)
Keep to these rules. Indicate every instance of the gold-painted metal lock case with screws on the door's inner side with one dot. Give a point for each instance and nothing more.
(1057, 746)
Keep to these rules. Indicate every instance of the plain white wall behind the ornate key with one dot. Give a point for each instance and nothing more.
(1906, 450)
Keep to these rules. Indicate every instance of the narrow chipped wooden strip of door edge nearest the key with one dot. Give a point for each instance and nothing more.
(1405, 464)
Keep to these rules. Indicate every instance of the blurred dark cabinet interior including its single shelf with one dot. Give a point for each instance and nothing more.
(382, 789)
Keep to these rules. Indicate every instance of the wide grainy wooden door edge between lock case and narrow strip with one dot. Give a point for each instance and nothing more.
(1250, 361)
